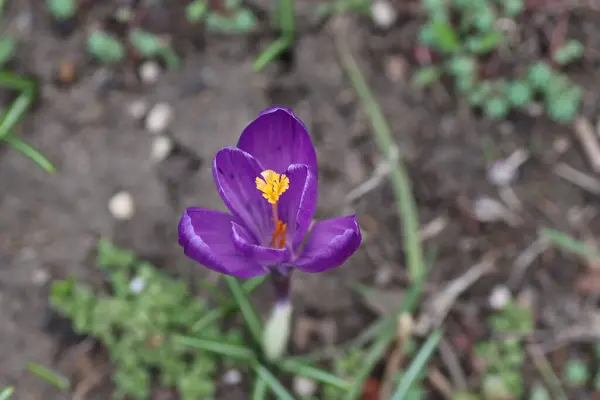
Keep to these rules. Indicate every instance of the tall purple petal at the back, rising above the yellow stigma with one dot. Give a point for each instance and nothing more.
(277, 139)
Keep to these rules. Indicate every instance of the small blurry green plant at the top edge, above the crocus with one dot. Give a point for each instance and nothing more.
(238, 19)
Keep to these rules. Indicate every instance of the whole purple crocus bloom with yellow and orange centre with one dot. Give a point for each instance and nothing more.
(269, 184)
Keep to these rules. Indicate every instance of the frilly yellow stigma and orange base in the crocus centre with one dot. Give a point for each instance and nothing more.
(273, 185)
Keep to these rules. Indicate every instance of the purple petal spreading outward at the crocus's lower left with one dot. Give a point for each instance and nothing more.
(205, 236)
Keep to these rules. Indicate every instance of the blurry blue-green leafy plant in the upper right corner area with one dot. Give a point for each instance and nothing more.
(474, 35)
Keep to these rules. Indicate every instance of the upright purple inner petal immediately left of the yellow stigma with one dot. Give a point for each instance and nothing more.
(235, 173)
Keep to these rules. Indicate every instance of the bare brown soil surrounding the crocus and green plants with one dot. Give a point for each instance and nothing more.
(50, 224)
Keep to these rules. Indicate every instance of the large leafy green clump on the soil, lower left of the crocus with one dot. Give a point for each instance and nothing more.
(138, 323)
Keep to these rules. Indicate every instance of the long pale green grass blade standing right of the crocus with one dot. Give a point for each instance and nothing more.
(405, 201)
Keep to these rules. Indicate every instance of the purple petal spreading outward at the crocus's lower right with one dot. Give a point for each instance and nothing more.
(330, 244)
